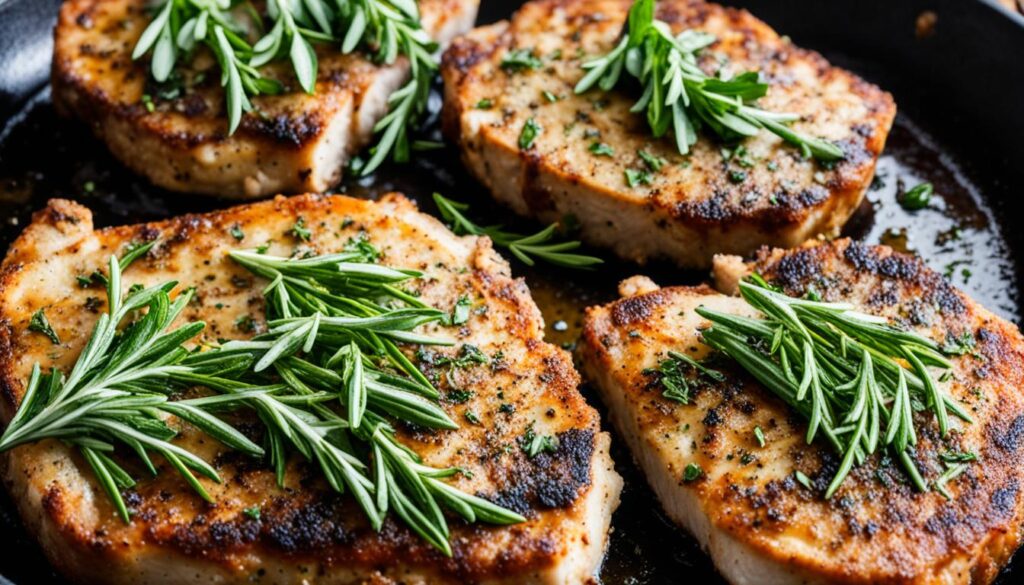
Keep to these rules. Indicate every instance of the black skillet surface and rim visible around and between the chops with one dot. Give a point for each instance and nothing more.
(961, 93)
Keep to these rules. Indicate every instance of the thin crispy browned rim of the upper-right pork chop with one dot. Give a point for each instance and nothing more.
(848, 184)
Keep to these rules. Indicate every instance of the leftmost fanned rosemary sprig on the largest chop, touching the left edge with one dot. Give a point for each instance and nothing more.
(116, 393)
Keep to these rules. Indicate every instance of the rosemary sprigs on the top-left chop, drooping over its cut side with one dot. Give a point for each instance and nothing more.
(386, 29)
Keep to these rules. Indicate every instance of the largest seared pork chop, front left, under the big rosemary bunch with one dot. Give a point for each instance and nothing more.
(307, 532)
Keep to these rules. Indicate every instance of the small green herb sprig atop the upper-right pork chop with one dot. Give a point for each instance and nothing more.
(680, 97)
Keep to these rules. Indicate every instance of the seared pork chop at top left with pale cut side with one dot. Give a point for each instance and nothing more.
(291, 143)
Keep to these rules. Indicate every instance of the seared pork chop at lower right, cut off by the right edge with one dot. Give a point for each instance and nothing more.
(749, 508)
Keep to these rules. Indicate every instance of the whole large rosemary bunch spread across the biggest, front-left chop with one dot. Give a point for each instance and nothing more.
(335, 324)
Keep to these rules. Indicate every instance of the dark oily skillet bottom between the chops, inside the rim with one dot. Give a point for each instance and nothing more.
(42, 156)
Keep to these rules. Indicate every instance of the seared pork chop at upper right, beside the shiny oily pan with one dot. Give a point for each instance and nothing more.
(717, 200)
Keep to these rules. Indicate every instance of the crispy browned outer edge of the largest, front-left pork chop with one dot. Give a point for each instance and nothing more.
(556, 486)
